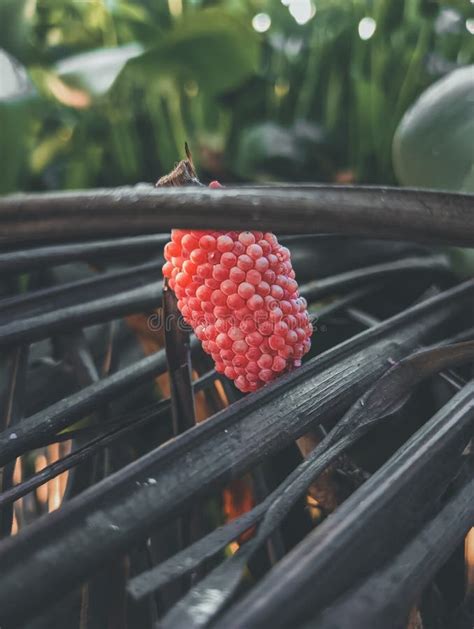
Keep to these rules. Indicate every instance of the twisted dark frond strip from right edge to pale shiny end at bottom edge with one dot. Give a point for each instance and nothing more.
(376, 405)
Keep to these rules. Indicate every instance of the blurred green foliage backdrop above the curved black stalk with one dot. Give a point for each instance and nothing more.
(105, 92)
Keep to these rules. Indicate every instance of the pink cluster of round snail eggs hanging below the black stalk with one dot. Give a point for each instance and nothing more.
(238, 292)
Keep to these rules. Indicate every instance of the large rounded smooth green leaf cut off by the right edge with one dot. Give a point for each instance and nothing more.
(434, 143)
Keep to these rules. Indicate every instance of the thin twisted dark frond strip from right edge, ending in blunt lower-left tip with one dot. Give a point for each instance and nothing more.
(378, 404)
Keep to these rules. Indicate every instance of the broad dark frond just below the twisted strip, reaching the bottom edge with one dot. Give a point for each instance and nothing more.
(376, 515)
